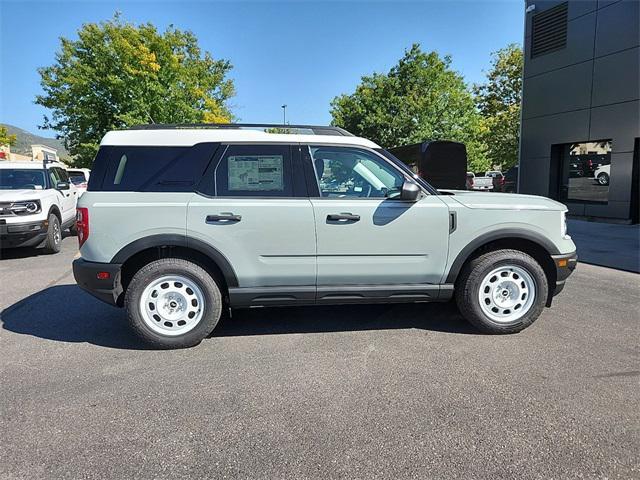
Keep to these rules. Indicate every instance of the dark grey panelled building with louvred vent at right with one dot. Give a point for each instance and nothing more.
(581, 106)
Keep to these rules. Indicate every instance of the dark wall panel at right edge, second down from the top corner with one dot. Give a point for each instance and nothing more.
(616, 78)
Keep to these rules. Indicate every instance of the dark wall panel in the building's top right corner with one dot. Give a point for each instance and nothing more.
(618, 27)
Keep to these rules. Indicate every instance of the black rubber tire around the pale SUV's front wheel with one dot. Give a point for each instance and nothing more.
(470, 279)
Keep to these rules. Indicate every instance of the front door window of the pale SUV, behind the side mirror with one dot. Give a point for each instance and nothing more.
(350, 172)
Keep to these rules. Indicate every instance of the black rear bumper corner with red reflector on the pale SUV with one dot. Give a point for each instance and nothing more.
(108, 289)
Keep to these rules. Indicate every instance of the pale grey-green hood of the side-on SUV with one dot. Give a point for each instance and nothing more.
(504, 201)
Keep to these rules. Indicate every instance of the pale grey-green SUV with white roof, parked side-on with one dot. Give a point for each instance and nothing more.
(180, 223)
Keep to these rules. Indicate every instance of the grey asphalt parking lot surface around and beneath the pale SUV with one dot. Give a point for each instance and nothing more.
(404, 391)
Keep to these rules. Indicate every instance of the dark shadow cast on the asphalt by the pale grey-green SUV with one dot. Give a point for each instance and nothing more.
(65, 313)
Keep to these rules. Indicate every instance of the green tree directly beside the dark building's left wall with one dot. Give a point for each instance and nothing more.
(498, 101)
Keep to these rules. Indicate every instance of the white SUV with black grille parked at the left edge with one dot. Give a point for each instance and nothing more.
(37, 202)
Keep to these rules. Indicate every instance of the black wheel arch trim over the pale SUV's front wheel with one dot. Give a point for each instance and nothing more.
(531, 243)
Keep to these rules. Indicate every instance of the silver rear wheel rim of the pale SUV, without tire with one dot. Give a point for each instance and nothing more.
(172, 305)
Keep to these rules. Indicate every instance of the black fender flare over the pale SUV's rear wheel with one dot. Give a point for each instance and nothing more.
(175, 240)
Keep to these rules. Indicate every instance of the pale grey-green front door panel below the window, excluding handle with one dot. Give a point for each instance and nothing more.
(392, 242)
